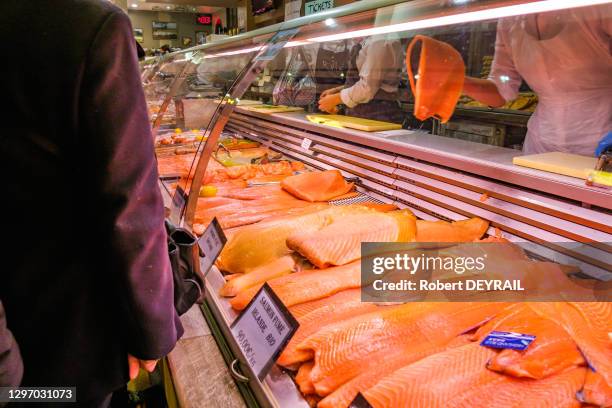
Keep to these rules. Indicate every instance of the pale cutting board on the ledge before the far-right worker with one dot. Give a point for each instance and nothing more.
(568, 164)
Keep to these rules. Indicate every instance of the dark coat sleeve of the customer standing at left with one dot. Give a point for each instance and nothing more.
(117, 146)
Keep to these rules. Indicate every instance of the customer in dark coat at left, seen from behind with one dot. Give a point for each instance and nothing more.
(85, 278)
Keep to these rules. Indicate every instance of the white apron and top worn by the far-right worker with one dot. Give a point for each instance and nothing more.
(571, 72)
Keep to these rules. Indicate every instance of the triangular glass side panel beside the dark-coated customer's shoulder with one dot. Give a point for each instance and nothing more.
(185, 92)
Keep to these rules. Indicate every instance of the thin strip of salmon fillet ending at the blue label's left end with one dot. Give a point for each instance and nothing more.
(346, 393)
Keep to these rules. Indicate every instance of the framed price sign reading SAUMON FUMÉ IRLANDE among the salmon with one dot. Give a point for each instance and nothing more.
(263, 330)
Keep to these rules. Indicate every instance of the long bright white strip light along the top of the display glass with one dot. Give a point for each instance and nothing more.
(466, 17)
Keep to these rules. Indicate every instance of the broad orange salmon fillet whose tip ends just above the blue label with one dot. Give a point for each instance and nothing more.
(346, 349)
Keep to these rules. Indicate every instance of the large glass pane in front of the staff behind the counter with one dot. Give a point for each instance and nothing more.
(538, 75)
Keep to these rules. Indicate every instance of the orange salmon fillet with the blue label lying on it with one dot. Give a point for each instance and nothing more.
(552, 351)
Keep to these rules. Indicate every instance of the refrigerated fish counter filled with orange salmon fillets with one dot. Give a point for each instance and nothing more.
(296, 224)
